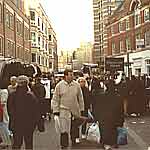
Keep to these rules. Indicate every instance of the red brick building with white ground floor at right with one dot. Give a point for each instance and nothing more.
(129, 35)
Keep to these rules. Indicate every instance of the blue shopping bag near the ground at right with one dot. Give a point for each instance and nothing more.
(122, 136)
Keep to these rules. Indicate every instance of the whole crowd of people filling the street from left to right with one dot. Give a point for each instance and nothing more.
(72, 100)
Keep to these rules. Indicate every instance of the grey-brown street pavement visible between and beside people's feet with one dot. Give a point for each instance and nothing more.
(138, 136)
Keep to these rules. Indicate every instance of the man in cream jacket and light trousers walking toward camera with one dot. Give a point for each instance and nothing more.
(67, 101)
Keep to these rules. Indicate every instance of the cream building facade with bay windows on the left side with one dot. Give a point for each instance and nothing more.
(43, 37)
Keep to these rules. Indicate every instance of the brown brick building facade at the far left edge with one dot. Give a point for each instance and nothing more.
(14, 31)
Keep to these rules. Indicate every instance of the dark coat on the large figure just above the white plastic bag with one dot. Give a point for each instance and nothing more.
(108, 108)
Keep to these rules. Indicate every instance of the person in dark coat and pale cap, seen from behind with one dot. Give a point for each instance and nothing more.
(23, 113)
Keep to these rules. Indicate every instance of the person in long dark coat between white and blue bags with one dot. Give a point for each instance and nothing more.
(108, 110)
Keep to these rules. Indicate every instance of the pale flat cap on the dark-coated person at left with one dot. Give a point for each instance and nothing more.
(22, 80)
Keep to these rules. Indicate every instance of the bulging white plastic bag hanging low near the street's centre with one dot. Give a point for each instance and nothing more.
(93, 133)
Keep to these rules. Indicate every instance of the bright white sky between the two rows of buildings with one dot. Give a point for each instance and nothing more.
(72, 20)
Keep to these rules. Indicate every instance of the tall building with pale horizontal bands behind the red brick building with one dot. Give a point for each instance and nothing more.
(102, 10)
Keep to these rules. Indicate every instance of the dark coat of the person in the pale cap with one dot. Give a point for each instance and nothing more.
(23, 111)
